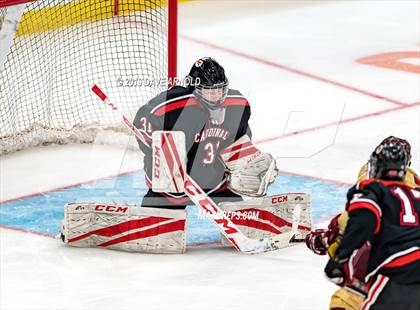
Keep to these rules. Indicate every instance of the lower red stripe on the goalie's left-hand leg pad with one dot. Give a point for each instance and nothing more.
(155, 231)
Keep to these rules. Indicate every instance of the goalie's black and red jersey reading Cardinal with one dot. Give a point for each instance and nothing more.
(207, 131)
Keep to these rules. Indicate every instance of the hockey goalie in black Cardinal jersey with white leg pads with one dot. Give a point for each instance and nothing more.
(200, 130)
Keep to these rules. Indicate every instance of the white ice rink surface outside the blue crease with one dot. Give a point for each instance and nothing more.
(257, 42)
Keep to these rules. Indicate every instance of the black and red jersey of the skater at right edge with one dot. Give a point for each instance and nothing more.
(386, 213)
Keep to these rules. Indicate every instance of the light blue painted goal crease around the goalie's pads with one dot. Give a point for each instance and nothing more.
(43, 213)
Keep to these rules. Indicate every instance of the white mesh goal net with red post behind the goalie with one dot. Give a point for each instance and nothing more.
(62, 47)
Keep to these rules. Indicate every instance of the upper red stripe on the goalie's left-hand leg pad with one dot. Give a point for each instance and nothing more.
(122, 227)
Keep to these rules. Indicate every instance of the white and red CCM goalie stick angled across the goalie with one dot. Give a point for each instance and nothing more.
(202, 200)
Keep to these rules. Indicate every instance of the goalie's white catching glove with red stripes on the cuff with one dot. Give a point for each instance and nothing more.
(250, 170)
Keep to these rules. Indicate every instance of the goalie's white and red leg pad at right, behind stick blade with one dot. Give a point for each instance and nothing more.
(270, 216)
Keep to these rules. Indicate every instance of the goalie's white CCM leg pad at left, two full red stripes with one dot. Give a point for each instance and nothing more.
(126, 228)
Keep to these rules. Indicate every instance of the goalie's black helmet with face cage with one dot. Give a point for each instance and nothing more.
(210, 83)
